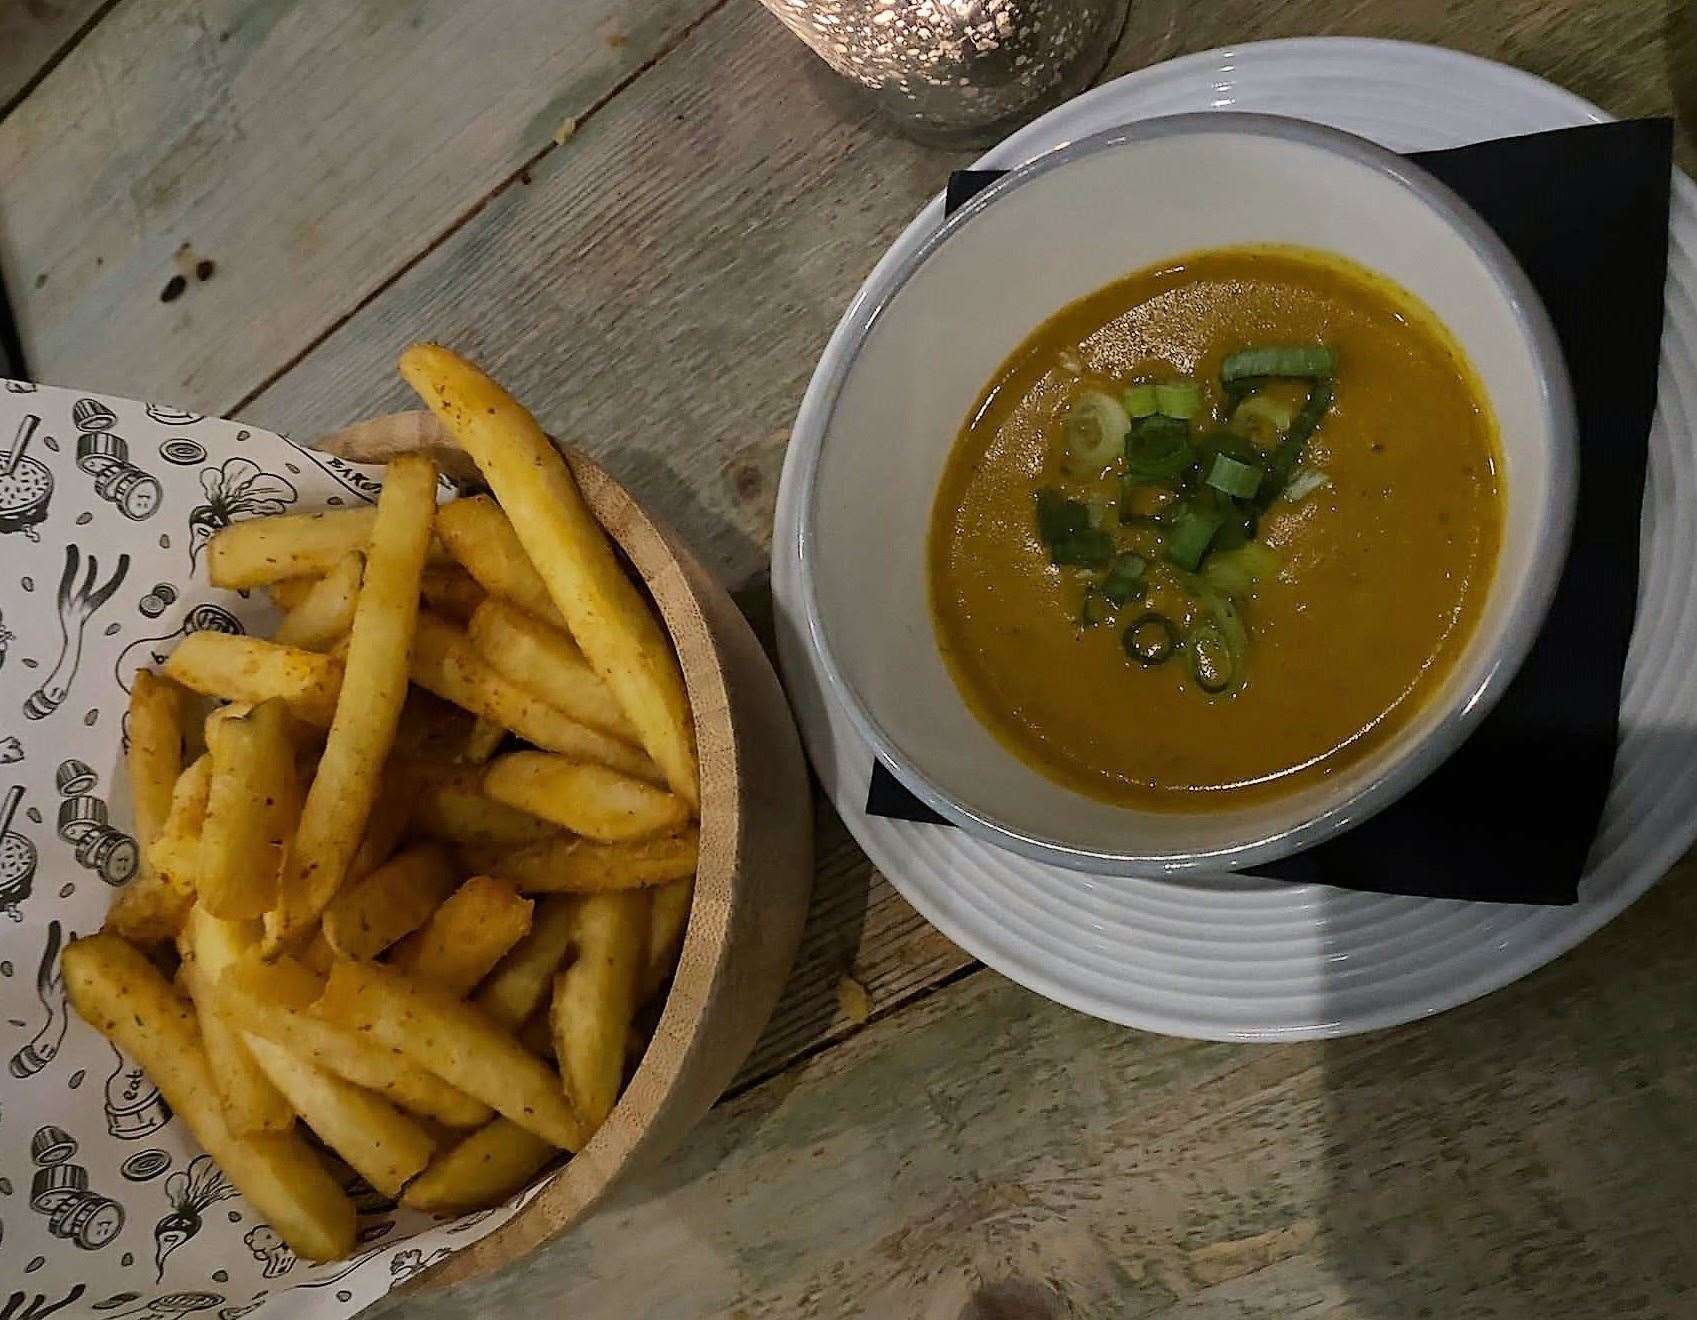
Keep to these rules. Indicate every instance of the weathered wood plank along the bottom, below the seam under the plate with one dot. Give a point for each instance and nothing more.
(990, 1155)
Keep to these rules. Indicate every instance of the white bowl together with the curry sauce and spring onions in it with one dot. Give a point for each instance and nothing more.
(1185, 498)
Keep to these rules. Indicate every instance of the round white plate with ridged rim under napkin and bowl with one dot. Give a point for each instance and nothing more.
(1238, 958)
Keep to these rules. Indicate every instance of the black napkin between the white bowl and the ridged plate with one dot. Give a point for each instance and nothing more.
(1511, 815)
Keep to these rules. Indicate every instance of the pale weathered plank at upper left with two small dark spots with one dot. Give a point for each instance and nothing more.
(310, 148)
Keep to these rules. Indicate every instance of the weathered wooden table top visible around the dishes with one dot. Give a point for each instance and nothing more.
(658, 288)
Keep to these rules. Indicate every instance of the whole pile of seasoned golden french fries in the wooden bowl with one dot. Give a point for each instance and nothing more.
(417, 871)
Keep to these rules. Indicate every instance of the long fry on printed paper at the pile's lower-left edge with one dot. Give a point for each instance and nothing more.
(121, 995)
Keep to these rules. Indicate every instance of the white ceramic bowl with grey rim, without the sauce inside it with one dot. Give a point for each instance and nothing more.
(922, 340)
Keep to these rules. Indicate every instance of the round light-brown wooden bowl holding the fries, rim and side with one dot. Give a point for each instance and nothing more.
(756, 856)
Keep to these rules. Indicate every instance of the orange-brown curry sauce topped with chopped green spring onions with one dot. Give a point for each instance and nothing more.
(1218, 529)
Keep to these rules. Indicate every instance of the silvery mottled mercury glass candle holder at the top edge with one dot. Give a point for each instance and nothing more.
(960, 72)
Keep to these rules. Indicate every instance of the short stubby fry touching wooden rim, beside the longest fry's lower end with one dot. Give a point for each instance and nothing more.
(588, 800)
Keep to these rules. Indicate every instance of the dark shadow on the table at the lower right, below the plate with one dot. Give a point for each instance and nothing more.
(1533, 1155)
